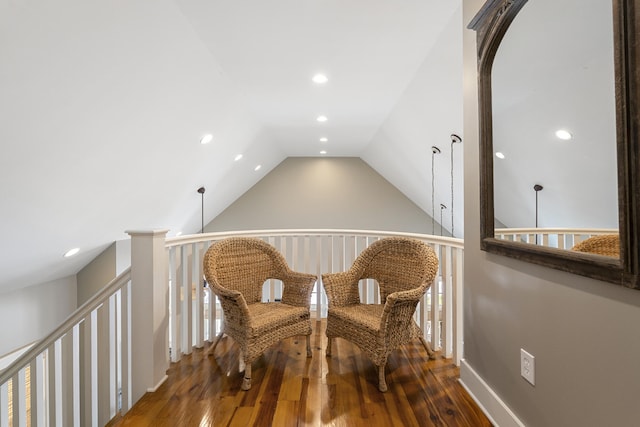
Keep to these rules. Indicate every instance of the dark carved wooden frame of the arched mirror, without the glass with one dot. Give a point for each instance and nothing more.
(491, 24)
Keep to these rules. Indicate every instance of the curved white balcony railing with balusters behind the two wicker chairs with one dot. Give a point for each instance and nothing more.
(196, 314)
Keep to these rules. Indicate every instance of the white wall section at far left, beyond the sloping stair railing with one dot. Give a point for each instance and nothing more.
(29, 314)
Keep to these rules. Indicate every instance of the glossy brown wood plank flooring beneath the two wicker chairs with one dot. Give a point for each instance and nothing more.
(289, 389)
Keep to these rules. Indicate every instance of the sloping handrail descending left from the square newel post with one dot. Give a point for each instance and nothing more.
(66, 326)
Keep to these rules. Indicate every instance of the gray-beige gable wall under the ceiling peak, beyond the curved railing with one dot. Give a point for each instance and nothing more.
(338, 192)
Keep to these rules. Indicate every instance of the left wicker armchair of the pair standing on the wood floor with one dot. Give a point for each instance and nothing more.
(236, 270)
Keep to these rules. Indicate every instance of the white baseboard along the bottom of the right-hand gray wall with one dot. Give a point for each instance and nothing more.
(494, 408)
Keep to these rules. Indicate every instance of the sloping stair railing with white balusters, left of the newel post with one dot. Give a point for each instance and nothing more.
(78, 374)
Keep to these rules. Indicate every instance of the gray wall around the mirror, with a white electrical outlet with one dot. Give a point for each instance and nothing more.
(581, 331)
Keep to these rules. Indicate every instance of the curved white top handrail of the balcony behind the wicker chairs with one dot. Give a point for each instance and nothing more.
(195, 238)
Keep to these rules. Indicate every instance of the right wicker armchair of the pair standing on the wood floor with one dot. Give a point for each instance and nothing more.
(404, 269)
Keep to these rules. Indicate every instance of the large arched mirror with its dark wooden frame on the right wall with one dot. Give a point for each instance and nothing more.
(548, 66)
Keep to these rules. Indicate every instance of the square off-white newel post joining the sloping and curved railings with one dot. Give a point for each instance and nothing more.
(149, 312)
